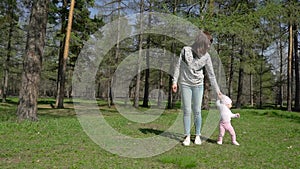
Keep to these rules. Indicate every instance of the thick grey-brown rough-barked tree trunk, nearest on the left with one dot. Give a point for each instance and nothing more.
(32, 63)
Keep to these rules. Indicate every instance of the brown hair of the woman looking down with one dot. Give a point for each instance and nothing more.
(201, 44)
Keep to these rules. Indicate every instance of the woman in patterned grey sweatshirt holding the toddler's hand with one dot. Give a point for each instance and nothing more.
(189, 74)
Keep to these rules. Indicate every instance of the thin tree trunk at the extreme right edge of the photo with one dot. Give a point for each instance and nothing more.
(297, 90)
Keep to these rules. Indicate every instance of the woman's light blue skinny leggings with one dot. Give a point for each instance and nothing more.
(191, 98)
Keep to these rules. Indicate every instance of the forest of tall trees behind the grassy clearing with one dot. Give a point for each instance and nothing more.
(256, 40)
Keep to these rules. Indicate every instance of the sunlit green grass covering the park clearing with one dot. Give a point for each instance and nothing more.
(268, 138)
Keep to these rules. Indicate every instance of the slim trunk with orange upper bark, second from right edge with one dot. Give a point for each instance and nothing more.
(290, 57)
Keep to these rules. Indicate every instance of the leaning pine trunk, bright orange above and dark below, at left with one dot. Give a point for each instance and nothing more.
(63, 62)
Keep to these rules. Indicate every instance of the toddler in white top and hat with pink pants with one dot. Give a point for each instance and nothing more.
(224, 106)
